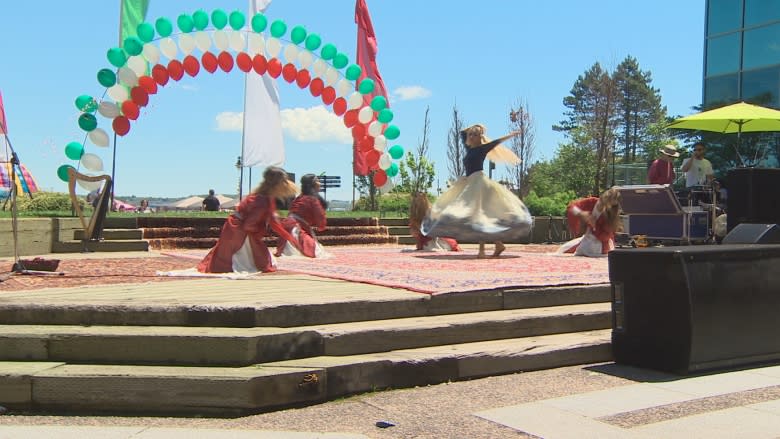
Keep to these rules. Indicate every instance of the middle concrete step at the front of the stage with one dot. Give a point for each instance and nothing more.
(244, 346)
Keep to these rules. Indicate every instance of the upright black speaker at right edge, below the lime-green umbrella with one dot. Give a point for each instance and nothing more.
(753, 196)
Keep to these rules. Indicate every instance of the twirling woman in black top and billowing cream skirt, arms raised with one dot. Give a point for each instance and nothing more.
(477, 208)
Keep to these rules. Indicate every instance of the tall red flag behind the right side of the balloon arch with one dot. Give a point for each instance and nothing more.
(366, 59)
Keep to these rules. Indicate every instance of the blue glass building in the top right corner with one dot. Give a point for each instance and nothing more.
(742, 52)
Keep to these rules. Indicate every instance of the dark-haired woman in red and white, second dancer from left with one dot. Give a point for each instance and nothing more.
(306, 216)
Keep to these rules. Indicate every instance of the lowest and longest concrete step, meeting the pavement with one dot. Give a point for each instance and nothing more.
(233, 391)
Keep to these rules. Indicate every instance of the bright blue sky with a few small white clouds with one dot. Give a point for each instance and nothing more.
(484, 58)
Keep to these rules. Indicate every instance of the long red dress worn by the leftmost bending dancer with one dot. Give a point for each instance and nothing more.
(251, 221)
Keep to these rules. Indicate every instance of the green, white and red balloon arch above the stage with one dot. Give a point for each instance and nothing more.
(138, 71)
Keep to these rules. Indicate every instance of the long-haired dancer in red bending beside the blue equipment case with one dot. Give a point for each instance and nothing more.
(602, 220)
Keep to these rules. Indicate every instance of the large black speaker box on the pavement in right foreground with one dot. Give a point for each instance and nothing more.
(693, 308)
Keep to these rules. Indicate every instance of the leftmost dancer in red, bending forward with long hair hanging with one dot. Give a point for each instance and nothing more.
(241, 247)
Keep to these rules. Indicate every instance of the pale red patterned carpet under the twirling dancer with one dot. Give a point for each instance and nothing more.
(445, 272)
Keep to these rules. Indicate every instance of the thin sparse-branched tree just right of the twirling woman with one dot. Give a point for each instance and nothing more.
(522, 145)
